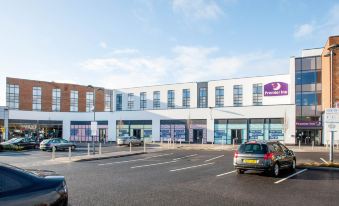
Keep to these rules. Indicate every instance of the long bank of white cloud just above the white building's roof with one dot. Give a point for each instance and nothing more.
(186, 64)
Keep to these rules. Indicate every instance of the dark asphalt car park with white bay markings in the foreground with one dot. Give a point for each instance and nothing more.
(183, 177)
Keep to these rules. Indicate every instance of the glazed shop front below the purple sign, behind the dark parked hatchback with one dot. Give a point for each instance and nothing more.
(227, 131)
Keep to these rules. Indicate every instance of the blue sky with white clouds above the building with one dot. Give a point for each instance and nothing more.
(127, 43)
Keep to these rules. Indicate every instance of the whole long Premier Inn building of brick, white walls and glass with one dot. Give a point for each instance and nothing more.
(287, 107)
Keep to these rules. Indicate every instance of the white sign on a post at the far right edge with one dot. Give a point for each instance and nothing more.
(332, 117)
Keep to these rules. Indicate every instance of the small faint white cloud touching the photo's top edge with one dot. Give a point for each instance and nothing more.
(198, 9)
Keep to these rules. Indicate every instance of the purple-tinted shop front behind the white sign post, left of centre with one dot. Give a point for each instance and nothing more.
(81, 131)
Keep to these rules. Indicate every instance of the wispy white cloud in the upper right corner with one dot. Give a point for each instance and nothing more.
(328, 26)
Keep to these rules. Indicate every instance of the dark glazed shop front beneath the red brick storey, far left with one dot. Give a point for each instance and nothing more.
(36, 129)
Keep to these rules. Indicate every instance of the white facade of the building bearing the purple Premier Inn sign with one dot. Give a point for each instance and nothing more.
(221, 111)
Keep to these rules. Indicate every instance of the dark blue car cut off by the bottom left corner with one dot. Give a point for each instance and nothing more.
(35, 187)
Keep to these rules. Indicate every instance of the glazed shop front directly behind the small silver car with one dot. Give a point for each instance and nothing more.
(138, 128)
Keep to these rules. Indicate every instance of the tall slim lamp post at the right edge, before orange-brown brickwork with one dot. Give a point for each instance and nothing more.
(330, 54)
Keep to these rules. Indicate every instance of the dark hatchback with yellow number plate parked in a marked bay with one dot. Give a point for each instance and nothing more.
(269, 157)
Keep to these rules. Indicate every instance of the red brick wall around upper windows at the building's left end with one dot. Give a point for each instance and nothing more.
(26, 93)
